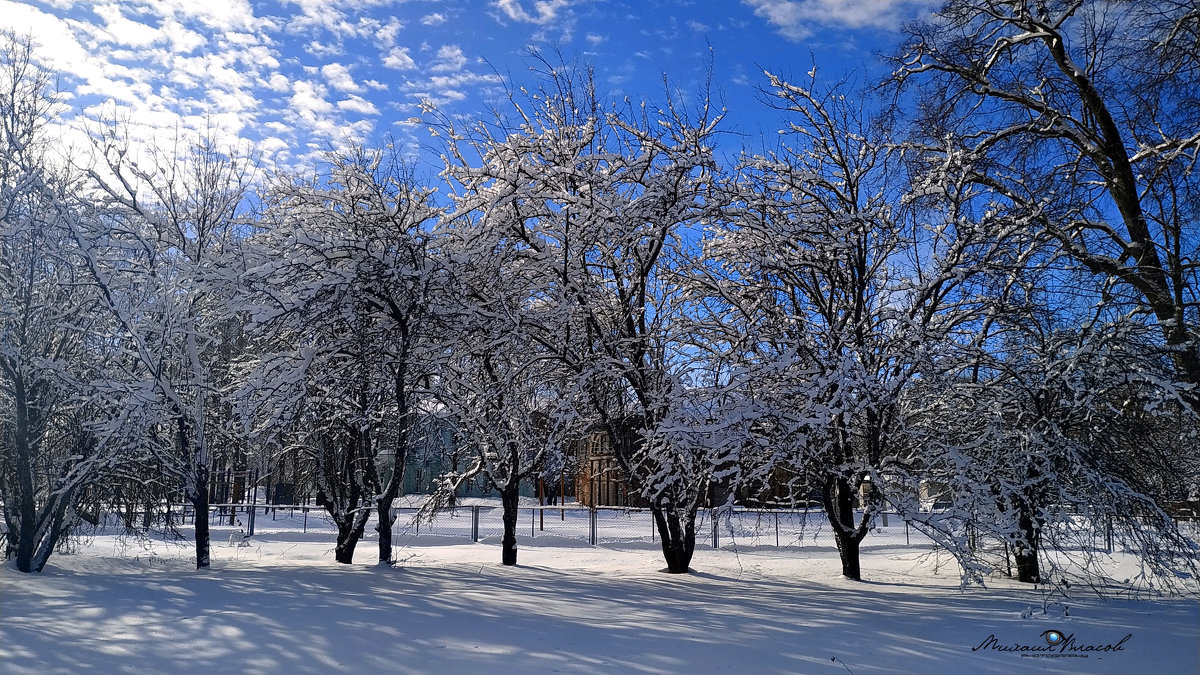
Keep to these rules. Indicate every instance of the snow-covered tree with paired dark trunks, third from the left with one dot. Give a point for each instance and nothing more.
(345, 295)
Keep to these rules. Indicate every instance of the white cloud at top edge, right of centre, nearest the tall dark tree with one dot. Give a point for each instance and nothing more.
(797, 20)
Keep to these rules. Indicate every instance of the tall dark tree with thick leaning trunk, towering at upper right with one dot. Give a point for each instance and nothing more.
(1083, 114)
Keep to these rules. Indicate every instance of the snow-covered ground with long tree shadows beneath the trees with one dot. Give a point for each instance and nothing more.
(281, 605)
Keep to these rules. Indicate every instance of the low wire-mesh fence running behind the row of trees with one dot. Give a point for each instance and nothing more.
(725, 528)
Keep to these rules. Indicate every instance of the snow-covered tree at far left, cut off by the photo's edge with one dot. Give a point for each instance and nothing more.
(57, 435)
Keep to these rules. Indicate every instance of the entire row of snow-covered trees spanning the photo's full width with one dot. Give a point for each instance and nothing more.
(979, 274)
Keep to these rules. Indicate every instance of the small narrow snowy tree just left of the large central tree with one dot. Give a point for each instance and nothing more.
(512, 402)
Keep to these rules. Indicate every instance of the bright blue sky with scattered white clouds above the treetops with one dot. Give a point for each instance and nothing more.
(299, 77)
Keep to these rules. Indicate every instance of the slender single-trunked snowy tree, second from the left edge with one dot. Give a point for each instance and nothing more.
(164, 255)
